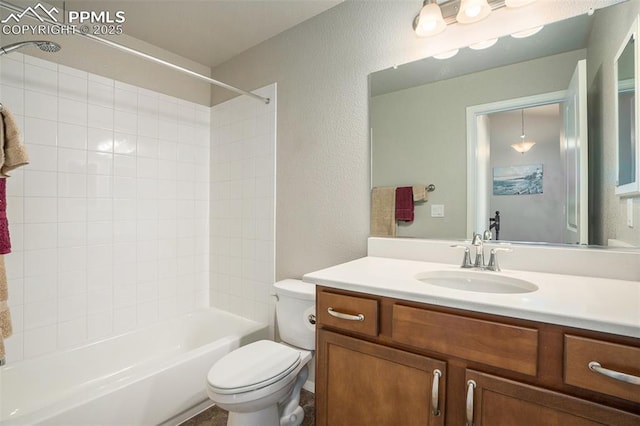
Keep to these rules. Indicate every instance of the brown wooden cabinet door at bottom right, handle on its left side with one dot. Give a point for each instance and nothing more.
(495, 401)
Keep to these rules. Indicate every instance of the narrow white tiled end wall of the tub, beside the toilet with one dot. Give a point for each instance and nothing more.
(243, 140)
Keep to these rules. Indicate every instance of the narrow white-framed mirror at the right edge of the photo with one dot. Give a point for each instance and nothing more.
(628, 177)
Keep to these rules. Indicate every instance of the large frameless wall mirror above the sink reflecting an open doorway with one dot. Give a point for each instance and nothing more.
(458, 124)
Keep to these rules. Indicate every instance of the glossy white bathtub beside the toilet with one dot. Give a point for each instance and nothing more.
(148, 377)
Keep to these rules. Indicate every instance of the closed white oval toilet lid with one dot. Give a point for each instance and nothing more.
(253, 366)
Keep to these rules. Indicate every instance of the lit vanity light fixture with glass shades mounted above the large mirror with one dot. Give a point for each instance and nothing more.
(435, 15)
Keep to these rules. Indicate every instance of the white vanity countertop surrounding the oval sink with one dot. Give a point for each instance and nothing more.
(600, 304)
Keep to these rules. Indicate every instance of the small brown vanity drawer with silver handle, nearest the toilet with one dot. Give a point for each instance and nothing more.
(350, 313)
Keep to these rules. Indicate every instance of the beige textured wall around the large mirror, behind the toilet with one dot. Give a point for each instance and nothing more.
(321, 67)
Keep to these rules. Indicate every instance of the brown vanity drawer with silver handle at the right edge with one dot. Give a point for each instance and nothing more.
(580, 351)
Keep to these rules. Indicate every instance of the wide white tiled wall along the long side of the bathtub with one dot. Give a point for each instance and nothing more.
(110, 220)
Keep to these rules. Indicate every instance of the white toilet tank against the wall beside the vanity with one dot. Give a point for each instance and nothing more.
(296, 302)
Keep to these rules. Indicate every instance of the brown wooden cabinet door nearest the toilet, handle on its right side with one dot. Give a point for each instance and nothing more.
(362, 383)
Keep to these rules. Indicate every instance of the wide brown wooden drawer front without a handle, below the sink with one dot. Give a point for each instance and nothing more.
(500, 345)
